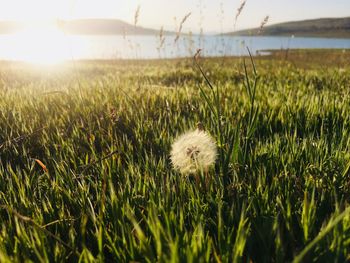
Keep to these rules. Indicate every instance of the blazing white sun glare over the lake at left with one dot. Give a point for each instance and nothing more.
(40, 44)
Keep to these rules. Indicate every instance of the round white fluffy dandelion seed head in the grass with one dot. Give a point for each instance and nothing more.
(193, 151)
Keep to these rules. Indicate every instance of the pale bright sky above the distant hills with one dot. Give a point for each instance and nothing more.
(211, 15)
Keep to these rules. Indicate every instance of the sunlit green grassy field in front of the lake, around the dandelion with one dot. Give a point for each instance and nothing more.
(85, 172)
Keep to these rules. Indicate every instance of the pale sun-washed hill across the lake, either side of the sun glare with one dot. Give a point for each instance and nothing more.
(89, 27)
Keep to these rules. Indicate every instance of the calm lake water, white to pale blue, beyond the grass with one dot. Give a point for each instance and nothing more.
(60, 46)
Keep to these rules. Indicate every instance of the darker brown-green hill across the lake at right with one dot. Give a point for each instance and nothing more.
(323, 27)
